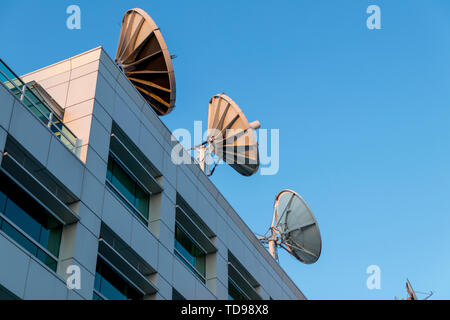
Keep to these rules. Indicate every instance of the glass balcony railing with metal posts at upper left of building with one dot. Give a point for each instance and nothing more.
(39, 108)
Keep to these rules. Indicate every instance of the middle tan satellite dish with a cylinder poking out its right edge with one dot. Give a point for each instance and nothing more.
(230, 137)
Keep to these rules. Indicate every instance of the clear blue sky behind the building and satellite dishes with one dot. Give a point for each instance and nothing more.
(363, 117)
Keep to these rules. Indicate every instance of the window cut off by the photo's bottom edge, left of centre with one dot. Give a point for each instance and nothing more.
(112, 286)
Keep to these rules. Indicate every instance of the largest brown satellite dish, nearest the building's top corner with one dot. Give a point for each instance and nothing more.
(143, 56)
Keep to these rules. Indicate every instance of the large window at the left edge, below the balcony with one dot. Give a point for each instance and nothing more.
(24, 220)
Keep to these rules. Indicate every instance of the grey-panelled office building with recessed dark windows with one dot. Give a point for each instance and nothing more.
(86, 180)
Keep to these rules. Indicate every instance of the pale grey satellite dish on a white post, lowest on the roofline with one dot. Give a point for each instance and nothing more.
(294, 228)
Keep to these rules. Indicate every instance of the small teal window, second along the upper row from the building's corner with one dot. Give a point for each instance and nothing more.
(190, 253)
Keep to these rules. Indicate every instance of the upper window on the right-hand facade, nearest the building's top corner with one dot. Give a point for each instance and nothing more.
(122, 183)
